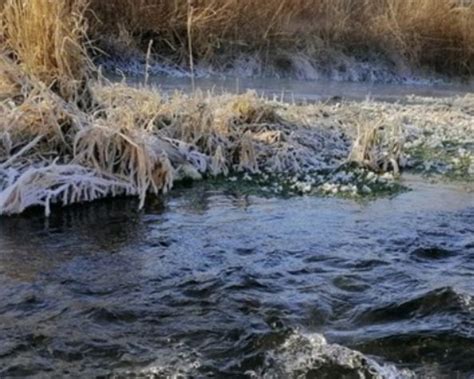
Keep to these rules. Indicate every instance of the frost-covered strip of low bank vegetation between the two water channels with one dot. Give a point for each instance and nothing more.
(138, 141)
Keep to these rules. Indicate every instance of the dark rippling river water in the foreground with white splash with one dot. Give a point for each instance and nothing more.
(208, 283)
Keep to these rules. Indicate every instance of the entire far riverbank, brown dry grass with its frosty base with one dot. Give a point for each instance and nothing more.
(383, 41)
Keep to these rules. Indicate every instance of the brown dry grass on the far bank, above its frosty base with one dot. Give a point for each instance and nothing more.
(434, 33)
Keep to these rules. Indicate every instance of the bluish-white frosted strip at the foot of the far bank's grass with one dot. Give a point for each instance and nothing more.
(297, 66)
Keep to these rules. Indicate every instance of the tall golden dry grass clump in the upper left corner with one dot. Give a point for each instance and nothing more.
(47, 39)
